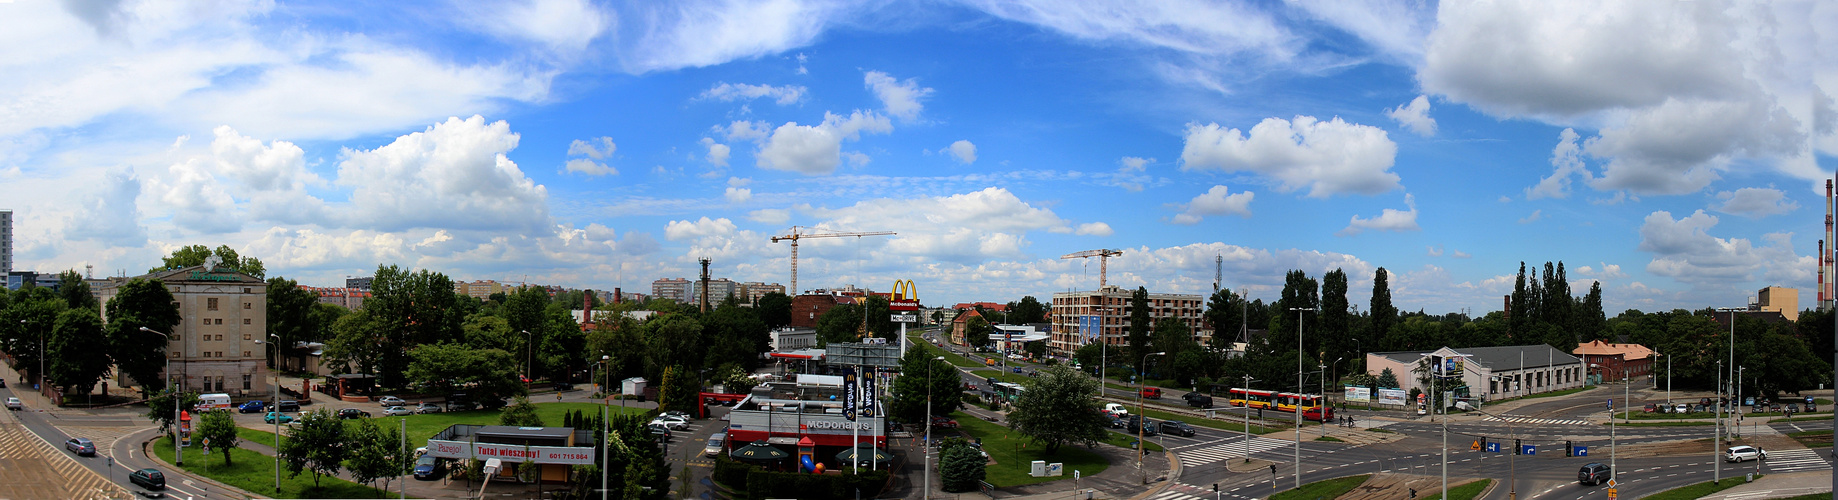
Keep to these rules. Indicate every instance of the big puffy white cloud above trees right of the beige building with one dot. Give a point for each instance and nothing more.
(451, 176)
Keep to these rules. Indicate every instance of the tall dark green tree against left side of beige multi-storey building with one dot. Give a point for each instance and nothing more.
(142, 356)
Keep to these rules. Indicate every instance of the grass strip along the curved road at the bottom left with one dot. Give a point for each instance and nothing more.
(255, 473)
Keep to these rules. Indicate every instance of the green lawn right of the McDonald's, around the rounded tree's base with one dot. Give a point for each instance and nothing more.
(1015, 455)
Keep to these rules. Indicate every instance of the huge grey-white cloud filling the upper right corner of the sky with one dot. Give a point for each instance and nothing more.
(1677, 91)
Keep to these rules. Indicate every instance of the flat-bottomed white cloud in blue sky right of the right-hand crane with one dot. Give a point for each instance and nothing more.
(1328, 157)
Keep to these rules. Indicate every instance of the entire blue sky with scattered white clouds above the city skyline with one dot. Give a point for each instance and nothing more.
(1673, 152)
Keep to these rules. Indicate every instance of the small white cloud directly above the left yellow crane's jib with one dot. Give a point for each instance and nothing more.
(817, 150)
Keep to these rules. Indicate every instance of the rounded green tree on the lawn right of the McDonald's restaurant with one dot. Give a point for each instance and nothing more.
(1060, 407)
